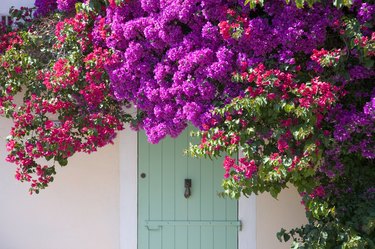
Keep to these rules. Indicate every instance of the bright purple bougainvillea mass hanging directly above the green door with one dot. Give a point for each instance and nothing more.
(171, 62)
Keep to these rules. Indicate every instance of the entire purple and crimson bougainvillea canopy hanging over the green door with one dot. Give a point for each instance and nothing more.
(287, 84)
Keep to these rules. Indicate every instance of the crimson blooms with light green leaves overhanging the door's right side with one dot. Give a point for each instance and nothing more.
(277, 122)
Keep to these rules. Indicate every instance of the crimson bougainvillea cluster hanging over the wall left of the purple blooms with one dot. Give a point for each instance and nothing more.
(68, 106)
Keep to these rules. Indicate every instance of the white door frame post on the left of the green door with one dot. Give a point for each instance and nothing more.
(128, 188)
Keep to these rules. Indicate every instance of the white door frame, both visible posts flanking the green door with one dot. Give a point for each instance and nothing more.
(128, 161)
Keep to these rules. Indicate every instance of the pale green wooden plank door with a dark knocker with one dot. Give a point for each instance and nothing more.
(168, 220)
